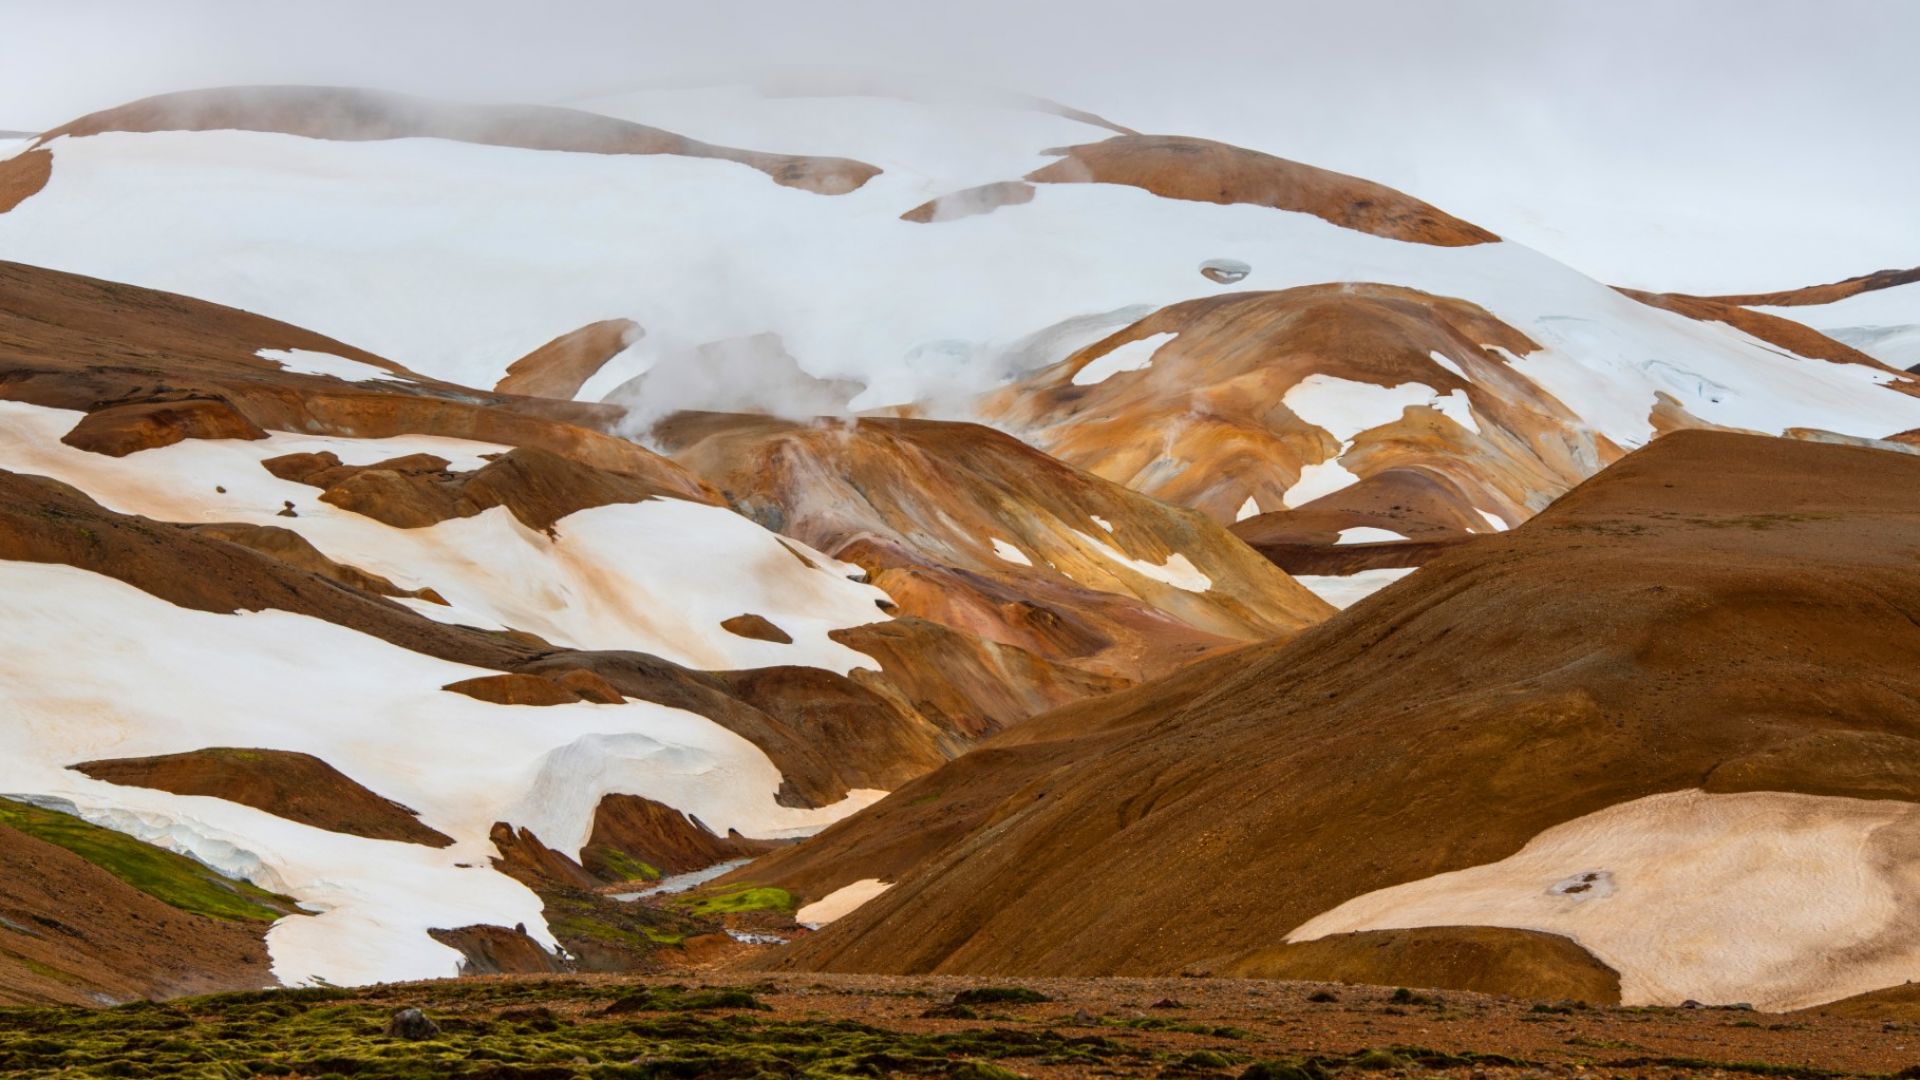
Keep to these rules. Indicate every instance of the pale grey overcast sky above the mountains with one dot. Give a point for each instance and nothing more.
(1706, 145)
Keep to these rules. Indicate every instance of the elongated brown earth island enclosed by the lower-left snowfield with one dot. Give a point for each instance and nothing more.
(297, 787)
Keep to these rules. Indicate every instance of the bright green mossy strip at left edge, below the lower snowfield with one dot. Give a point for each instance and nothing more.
(166, 877)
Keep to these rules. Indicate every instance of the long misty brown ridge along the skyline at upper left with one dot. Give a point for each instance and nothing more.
(358, 116)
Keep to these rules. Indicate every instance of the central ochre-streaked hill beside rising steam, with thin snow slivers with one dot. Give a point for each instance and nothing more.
(982, 533)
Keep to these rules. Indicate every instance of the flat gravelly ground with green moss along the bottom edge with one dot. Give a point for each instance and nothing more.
(583, 1027)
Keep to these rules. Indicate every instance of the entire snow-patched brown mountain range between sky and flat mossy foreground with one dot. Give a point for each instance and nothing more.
(443, 516)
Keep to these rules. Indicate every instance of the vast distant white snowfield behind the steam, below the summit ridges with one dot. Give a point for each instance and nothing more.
(458, 258)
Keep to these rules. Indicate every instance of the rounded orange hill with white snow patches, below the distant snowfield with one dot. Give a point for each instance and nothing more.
(1226, 408)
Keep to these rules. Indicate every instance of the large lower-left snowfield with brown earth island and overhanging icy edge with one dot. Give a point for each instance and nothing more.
(95, 668)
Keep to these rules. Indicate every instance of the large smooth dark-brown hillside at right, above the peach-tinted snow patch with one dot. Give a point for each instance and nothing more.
(1716, 612)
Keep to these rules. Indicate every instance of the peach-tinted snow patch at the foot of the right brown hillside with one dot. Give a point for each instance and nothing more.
(1773, 898)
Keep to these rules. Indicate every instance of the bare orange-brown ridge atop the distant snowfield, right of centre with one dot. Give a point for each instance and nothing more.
(1203, 170)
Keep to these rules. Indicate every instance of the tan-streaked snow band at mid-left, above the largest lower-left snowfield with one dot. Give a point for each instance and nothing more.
(656, 577)
